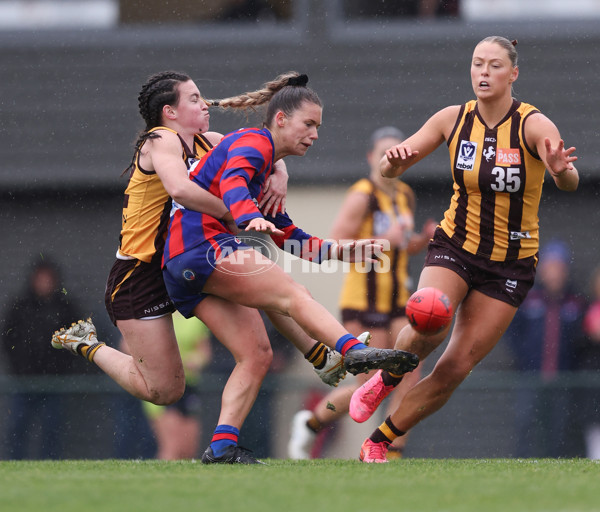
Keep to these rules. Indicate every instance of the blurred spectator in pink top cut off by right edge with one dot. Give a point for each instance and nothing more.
(588, 359)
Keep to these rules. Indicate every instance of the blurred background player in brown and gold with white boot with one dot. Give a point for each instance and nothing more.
(383, 209)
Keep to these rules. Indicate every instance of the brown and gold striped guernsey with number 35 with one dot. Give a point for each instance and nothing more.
(497, 185)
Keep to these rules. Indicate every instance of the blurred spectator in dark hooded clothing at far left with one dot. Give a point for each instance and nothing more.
(34, 314)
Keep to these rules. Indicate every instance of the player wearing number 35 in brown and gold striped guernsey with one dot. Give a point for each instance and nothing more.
(484, 254)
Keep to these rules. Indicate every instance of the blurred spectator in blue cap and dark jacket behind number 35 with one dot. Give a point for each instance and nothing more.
(543, 338)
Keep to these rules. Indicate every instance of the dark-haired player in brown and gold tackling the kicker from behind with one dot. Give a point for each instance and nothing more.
(176, 135)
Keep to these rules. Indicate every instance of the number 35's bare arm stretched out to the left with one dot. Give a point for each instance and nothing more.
(437, 128)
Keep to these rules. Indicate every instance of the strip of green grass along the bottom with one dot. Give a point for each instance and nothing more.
(308, 486)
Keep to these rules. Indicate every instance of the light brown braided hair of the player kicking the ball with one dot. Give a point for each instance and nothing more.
(286, 93)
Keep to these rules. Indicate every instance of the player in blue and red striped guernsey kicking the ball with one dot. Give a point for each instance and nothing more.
(203, 258)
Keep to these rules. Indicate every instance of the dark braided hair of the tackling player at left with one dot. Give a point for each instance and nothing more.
(159, 90)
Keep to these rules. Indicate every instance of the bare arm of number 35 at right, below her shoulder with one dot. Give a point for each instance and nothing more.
(543, 134)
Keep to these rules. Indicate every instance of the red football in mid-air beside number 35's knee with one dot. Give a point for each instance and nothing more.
(429, 310)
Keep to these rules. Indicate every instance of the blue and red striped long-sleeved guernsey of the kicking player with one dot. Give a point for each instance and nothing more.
(235, 170)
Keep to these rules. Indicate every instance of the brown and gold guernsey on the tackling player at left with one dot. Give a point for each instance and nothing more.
(147, 205)
